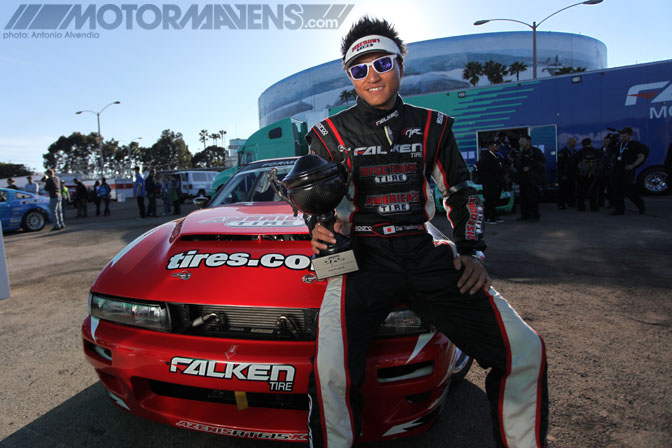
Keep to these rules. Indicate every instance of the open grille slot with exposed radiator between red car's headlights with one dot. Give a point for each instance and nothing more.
(242, 322)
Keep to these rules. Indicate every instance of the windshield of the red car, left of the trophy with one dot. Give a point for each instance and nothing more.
(250, 185)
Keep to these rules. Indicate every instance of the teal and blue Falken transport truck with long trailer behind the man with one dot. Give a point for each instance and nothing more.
(550, 110)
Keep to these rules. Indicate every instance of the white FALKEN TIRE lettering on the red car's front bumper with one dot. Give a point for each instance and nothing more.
(280, 377)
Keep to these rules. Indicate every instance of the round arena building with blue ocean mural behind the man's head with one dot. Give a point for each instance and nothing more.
(431, 66)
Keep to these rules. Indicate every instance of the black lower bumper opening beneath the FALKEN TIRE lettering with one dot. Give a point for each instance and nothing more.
(260, 400)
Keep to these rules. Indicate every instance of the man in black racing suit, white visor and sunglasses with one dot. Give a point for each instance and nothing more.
(394, 149)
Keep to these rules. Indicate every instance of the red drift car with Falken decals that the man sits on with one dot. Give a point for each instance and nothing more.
(209, 322)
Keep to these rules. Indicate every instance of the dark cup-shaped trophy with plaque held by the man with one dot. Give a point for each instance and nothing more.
(315, 187)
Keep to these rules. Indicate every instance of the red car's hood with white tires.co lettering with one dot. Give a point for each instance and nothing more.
(242, 254)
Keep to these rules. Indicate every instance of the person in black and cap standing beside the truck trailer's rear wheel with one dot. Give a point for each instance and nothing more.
(632, 155)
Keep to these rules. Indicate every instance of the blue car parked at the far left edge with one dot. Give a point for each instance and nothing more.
(20, 209)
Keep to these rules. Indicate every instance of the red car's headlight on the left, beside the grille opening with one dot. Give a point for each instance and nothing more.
(150, 315)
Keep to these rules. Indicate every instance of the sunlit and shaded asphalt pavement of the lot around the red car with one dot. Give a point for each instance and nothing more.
(595, 286)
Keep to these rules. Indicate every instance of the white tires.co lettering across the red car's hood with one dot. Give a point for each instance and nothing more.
(194, 259)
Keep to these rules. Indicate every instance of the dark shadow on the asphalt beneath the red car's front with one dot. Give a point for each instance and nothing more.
(90, 419)
